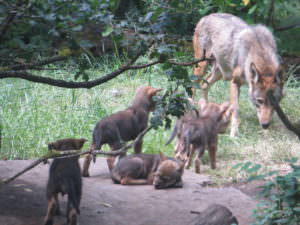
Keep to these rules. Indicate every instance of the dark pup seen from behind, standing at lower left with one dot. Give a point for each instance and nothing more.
(64, 178)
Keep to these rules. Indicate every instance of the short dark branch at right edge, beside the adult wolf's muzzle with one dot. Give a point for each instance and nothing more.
(282, 116)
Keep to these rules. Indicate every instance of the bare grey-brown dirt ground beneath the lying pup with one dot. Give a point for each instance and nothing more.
(24, 202)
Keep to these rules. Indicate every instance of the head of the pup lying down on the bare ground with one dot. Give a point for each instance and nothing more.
(168, 174)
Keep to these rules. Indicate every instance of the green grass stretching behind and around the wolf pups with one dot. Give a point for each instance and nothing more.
(34, 114)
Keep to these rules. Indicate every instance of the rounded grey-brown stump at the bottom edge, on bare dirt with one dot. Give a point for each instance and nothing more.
(215, 215)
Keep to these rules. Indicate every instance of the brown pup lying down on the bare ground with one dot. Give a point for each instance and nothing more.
(158, 170)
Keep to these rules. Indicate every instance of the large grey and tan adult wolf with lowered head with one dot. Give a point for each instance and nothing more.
(243, 54)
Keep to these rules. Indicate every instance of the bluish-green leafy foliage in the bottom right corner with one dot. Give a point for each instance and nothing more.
(282, 194)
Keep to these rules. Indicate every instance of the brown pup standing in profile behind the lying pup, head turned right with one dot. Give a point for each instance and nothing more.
(125, 125)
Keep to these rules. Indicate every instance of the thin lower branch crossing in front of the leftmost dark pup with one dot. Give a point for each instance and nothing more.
(74, 153)
